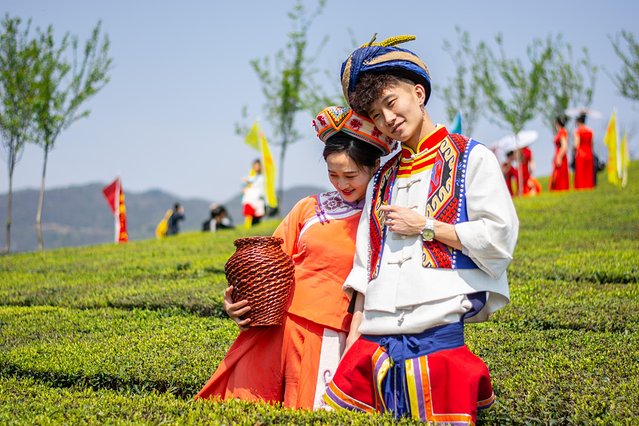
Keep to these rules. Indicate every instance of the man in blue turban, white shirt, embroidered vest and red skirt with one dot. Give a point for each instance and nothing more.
(433, 244)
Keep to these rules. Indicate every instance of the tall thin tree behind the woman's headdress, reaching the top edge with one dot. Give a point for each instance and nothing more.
(288, 84)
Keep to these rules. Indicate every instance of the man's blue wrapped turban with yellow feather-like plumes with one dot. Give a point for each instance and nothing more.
(384, 57)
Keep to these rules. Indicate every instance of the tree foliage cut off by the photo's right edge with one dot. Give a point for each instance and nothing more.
(627, 80)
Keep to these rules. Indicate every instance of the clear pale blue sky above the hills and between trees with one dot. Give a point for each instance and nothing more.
(181, 76)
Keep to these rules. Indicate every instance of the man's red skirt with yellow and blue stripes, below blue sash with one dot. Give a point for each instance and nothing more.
(447, 386)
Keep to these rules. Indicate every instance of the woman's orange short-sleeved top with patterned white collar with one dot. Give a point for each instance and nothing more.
(319, 234)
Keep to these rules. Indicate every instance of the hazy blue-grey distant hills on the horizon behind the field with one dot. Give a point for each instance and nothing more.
(79, 215)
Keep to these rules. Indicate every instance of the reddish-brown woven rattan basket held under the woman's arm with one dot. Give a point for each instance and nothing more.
(263, 274)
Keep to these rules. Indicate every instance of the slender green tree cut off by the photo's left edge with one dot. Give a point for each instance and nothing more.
(18, 70)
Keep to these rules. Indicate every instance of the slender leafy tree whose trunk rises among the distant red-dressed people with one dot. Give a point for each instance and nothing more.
(523, 84)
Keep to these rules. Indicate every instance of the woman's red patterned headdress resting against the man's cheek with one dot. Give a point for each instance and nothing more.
(335, 119)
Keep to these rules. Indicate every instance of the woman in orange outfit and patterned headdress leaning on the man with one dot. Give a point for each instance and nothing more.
(294, 362)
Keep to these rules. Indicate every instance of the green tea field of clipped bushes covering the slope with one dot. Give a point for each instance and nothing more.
(128, 334)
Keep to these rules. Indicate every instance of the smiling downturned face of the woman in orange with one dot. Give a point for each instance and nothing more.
(347, 177)
